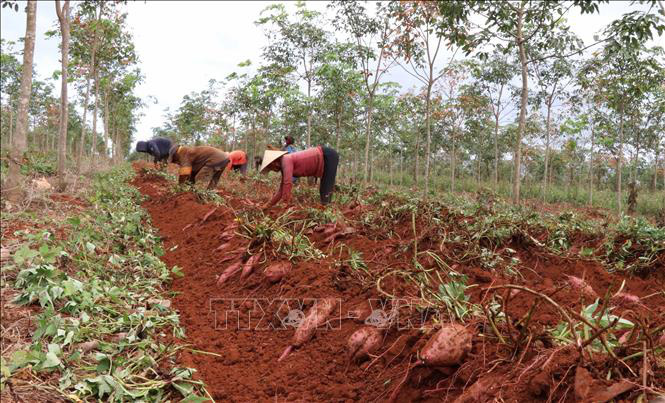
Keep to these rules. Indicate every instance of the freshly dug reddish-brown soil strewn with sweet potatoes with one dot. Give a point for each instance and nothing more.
(243, 365)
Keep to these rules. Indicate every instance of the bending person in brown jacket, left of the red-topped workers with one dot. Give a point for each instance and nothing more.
(193, 159)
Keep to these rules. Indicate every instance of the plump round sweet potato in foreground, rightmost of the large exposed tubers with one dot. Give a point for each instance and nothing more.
(449, 346)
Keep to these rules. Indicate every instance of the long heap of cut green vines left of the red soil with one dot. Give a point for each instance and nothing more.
(93, 289)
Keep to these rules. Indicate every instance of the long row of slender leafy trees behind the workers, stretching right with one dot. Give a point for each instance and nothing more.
(526, 104)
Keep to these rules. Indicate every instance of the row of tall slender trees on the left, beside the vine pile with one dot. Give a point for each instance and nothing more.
(99, 63)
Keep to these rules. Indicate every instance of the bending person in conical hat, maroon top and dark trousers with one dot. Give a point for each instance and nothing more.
(319, 162)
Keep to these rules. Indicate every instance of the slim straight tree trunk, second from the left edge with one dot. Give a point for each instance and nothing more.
(63, 17)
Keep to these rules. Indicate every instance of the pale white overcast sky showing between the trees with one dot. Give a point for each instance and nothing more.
(182, 45)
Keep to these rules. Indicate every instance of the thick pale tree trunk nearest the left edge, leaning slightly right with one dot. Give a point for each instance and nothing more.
(12, 187)
